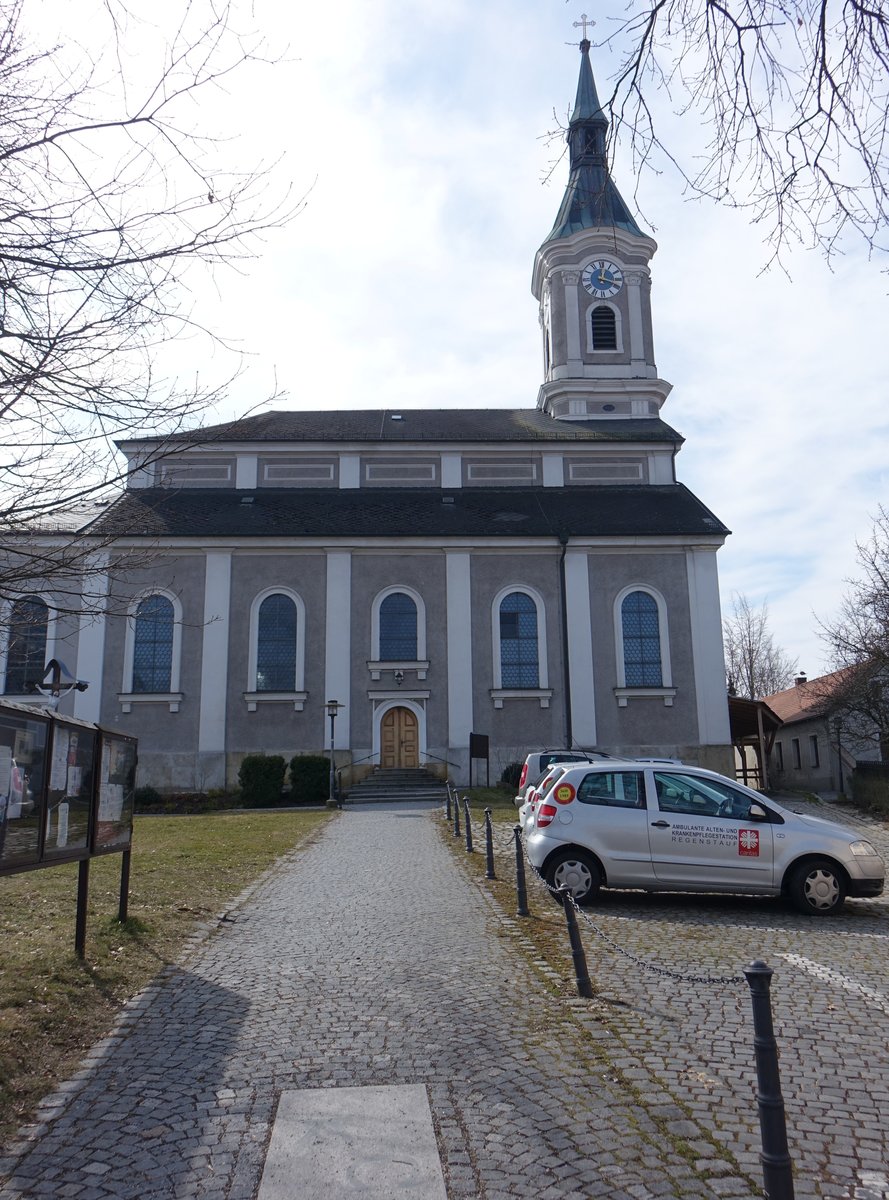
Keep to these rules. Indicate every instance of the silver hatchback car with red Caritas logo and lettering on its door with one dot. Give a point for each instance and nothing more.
(632, 825)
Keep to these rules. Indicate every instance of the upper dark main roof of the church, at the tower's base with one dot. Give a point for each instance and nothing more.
(382, 425)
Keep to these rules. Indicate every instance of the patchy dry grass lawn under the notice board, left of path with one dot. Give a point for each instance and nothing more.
(53, 1007)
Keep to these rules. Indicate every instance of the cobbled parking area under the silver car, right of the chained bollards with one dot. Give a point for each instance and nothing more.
(693, 1042)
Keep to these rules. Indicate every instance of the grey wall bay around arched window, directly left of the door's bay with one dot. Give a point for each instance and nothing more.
(277, 728)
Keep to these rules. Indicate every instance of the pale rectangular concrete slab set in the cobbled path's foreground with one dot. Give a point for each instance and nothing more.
(375, 1143)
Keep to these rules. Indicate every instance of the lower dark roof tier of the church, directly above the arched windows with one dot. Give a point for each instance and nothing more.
(410, 513)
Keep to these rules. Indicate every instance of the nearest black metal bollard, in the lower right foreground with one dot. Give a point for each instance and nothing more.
(778, 1169)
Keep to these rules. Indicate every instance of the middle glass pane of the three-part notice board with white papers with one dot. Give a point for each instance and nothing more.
(73, 754)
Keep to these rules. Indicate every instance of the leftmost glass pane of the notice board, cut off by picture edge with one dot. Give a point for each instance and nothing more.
(23, 748)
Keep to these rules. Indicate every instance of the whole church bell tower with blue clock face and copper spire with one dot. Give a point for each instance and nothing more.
(593, 284)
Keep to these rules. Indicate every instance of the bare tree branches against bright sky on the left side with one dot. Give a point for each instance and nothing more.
(110, 197)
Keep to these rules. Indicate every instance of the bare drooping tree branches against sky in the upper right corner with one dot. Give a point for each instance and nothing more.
(794, 97)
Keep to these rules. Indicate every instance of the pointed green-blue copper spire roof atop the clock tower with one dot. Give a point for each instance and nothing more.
(591, 201)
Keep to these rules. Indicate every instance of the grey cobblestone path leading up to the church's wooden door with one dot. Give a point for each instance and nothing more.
(364, 958)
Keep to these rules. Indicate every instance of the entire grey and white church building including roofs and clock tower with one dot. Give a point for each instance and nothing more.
(534, 575)
